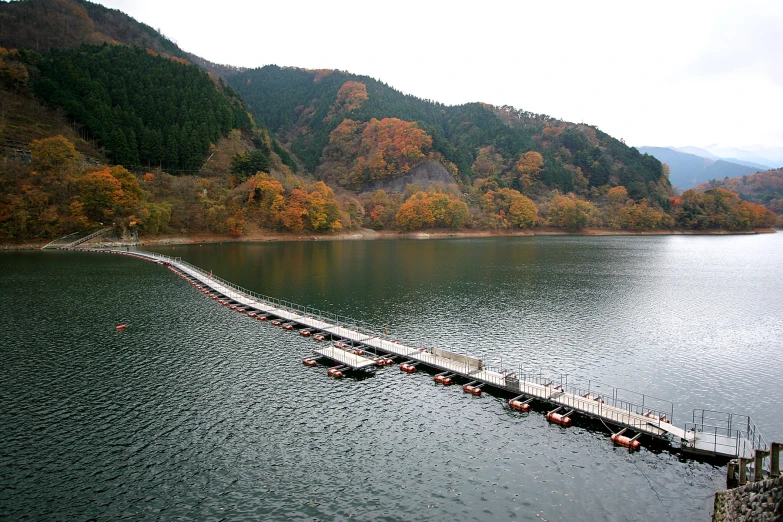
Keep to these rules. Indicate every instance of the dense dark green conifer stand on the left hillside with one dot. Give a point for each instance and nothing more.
(145, 109)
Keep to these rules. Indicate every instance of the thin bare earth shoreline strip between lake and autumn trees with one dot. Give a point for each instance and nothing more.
(367, 234)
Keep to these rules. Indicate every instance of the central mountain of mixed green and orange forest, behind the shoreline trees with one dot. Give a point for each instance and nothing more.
(476, 141)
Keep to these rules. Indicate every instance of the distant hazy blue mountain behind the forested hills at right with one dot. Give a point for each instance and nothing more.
(689, 170)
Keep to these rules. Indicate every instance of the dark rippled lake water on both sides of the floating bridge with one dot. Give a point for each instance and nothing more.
(196, 412)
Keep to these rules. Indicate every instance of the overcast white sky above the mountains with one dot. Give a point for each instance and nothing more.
(653, 73)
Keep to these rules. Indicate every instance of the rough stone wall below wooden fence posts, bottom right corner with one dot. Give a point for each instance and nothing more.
(756, 501)
